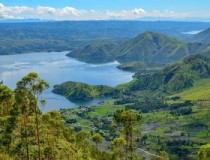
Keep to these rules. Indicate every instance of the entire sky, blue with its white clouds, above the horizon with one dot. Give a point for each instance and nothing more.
(105, 9)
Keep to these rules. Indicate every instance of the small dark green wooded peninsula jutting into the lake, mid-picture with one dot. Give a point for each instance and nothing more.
(81, 91)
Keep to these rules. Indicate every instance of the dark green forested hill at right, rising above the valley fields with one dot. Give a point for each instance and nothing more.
(176, 77)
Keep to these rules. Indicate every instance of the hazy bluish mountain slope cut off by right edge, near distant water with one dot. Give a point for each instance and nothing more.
(202, 37)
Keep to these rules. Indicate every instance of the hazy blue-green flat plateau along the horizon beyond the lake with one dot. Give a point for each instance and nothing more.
(18, 38)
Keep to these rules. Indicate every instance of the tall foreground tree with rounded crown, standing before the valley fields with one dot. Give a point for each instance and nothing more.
(128, 119)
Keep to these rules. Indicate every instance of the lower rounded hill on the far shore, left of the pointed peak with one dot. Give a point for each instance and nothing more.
(94, 53)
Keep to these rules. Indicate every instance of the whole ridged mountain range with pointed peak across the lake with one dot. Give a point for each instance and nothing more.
(146, 47)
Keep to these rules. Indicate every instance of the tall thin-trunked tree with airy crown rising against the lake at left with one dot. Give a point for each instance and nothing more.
(31, 87)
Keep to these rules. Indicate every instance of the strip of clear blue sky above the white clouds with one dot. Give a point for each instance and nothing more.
(179, 5)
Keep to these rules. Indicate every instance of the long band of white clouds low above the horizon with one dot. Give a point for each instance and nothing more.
(70, 13)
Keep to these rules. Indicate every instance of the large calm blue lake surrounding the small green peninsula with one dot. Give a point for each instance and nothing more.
(57, 68)
